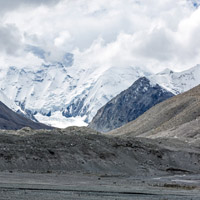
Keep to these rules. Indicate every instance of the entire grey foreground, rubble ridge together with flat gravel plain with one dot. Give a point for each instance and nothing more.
(79, 163)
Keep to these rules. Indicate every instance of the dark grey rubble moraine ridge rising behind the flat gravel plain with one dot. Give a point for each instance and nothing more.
(83, 150)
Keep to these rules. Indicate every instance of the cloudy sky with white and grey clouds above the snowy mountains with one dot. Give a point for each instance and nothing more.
(149, 33)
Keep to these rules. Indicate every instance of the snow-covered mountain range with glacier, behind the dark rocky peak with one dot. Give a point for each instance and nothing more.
(70, 94)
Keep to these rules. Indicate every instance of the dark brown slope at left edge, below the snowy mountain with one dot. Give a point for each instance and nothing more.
(10, 120)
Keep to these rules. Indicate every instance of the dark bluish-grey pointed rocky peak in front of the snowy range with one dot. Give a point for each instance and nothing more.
(129, 105)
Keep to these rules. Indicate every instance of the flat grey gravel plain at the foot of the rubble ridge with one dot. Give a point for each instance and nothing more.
(95, 187)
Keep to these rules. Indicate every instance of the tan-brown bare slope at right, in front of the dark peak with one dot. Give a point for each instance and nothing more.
(168, 115)
